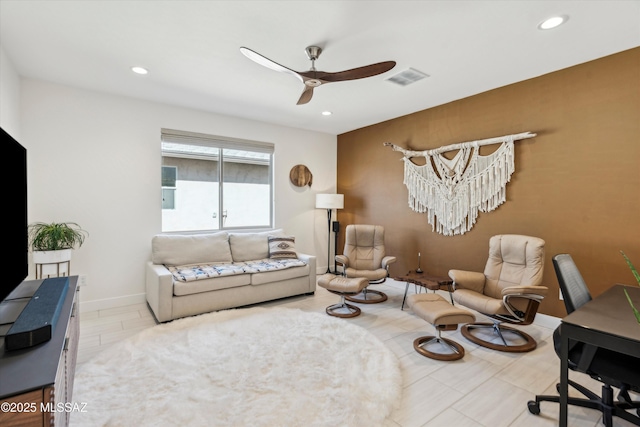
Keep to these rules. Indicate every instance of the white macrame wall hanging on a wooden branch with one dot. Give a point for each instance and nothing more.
(453, 191)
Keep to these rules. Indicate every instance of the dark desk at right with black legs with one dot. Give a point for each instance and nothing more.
(607, 321)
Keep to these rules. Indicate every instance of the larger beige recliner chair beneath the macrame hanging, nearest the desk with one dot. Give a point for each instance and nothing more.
(509, 291)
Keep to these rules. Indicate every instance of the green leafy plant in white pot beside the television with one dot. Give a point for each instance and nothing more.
(51, 243)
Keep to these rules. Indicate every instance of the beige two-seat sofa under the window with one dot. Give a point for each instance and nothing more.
(197, 273)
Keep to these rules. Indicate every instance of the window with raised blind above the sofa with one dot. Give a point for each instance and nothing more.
(213, 183)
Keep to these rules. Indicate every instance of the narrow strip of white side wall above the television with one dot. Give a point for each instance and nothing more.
(9, 96)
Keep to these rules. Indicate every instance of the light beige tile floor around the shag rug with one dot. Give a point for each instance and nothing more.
(485, 388)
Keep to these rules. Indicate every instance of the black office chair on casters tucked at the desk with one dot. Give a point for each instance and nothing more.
(611, 368)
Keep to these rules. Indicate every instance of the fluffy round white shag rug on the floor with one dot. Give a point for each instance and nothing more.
(244, 367)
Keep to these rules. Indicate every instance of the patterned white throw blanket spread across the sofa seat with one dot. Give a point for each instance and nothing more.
(189, 273)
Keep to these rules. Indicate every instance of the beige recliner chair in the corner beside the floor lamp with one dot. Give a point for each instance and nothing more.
(364, 255)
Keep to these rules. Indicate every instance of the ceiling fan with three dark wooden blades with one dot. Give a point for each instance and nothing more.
(314, 78)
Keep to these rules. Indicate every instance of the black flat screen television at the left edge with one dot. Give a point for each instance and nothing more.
(15, 216)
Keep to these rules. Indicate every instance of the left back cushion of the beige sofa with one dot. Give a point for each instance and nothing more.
(181, 249)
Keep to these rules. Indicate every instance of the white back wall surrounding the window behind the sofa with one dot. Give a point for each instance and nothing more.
(95, 159)
